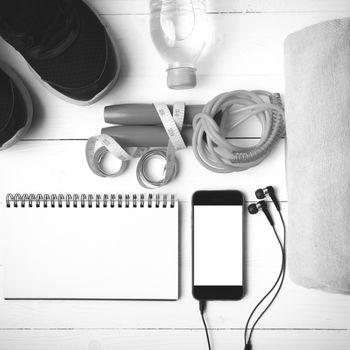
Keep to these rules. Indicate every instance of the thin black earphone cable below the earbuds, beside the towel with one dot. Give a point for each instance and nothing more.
(280, 279)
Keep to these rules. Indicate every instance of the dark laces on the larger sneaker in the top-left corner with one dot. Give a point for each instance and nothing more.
(40, 27)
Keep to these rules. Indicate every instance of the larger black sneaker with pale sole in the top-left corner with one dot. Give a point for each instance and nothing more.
(65, 44)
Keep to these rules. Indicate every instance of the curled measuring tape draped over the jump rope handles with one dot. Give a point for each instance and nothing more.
(98, 146)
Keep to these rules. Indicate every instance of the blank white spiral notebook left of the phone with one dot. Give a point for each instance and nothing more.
(90, 247)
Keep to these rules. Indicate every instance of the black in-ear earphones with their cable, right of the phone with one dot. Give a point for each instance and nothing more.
(254, 208)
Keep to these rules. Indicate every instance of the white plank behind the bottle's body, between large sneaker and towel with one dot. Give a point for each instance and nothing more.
(237, 44)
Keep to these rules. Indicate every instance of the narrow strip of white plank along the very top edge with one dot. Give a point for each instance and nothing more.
(229, 6)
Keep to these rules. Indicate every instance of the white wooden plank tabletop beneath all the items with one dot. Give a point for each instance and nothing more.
(246, 52)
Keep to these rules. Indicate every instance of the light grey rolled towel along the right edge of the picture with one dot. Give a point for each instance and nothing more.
(317, 98)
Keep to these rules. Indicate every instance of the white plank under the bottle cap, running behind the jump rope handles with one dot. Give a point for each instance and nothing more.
(57, 119)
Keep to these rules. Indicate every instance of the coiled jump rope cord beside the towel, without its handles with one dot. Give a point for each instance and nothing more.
(209, 142)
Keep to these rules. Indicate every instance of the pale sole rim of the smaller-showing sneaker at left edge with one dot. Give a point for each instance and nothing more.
(27, 101)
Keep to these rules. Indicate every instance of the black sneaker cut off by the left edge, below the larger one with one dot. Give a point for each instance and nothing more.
(16, 107)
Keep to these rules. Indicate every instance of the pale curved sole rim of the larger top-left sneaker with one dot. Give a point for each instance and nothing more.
(103, 92)
